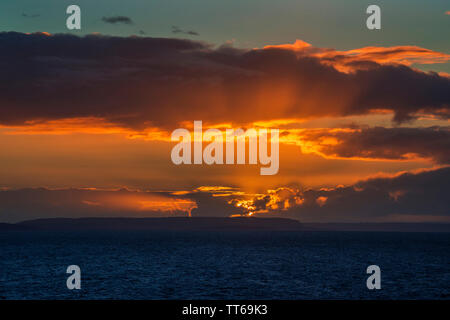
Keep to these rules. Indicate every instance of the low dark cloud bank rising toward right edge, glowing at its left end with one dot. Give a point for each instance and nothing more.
(377, 199)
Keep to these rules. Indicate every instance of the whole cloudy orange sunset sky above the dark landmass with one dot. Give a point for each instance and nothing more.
(86, 115)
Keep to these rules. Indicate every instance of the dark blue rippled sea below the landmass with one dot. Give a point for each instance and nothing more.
(245, 265)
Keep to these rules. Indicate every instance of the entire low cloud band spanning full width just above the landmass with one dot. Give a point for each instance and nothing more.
(422, 194)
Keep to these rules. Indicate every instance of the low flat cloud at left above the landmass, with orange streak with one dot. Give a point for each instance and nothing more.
(24, 204)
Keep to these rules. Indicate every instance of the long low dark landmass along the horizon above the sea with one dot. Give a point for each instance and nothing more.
(212, 224)
